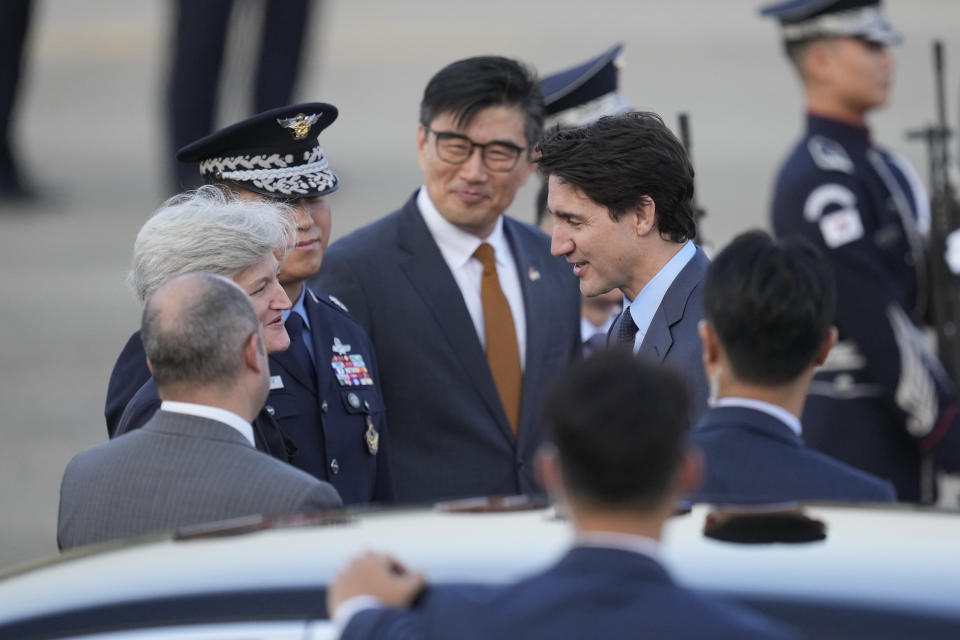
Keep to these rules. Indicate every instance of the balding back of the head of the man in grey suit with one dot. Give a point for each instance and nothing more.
(194, 331)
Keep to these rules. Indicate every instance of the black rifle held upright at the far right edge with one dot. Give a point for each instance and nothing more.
(944, 261)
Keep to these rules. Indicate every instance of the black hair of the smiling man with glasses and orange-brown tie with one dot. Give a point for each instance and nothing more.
(466, 87)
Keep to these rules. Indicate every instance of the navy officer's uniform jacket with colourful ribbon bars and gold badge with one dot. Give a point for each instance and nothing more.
(339, 426)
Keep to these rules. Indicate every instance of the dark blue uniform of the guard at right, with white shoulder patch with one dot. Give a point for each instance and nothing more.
(882, 401)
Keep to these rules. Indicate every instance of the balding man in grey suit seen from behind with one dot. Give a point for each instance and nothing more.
(194, 461)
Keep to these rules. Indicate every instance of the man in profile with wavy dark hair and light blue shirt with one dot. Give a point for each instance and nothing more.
(621, 193)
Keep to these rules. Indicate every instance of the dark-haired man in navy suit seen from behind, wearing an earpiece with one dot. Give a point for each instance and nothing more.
(768, 308)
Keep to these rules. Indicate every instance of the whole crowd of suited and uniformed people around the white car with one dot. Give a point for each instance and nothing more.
(441, 351)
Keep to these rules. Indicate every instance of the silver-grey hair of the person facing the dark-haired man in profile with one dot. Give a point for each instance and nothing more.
(208, 230)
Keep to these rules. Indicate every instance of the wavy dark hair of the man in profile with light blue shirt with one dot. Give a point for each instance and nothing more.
(622, 162)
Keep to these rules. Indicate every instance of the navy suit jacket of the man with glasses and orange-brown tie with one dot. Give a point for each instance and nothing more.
(448, 431)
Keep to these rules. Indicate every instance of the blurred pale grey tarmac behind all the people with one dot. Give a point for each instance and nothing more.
(90, 132)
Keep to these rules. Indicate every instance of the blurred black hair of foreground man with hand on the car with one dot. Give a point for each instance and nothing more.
(619, 426)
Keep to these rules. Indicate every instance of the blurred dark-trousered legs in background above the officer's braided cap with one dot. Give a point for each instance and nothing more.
(276, 31)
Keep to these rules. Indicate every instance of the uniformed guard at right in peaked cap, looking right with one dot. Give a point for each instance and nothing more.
(882, 401)
